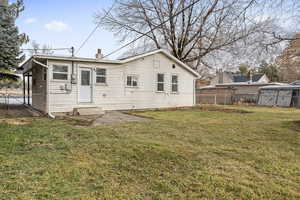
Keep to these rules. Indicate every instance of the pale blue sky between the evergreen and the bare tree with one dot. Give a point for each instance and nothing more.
(65, 23)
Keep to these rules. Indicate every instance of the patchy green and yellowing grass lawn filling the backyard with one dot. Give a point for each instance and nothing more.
(191, 154)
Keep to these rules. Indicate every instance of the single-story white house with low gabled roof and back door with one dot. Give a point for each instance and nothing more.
(151, 80)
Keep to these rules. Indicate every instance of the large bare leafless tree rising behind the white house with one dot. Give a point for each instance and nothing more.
(207, 29)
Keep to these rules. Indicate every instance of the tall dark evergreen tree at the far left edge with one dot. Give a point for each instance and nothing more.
(10, 39)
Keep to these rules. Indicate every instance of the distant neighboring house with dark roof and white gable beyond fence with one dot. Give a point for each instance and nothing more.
(231, 77)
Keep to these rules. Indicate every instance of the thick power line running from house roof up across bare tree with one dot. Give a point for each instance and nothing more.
(157, 26)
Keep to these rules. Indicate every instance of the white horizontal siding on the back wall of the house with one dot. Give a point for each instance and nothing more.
(115, 95)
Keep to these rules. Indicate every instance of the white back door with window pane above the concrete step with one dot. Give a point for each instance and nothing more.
(85, 85)
